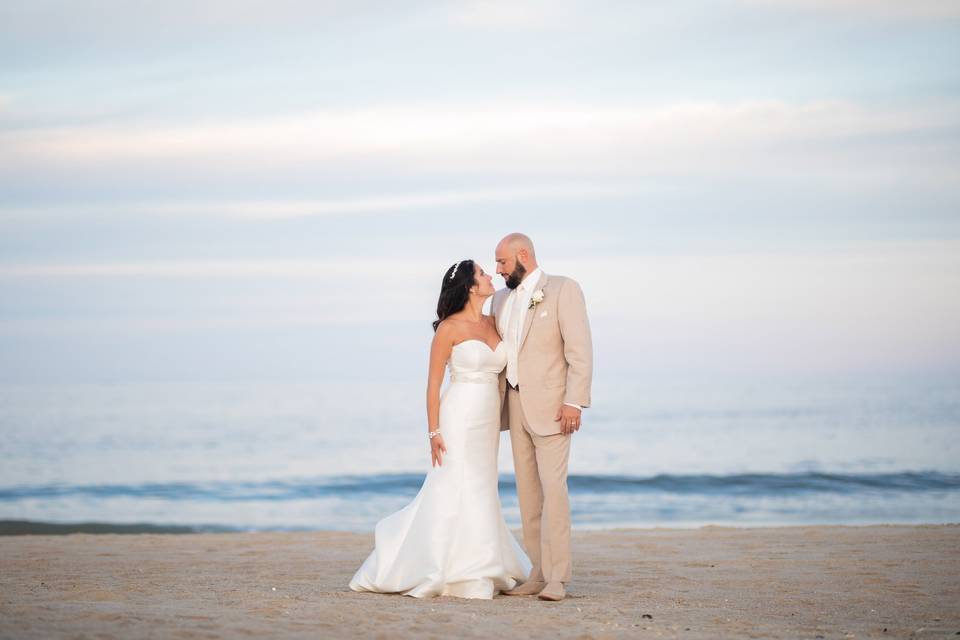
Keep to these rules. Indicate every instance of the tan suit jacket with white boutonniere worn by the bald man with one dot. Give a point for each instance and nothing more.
(555, 359)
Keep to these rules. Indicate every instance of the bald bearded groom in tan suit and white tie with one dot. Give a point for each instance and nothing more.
(543, 321)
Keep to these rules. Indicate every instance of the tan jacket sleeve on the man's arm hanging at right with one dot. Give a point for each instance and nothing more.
(577, 343)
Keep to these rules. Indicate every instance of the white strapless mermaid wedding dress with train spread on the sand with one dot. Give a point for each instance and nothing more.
(451, 540)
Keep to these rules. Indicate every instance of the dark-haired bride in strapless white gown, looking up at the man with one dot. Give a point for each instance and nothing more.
(451, 540)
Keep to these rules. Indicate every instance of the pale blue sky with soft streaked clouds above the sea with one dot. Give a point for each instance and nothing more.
(221, 190)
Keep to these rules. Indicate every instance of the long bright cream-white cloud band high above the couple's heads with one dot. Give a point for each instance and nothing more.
(831, 139)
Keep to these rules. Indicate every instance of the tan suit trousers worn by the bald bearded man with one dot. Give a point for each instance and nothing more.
(540, 464)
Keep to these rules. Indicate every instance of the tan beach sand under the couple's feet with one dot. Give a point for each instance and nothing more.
(713, 582)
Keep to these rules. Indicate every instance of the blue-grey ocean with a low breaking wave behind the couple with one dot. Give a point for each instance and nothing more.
(340, 455)
